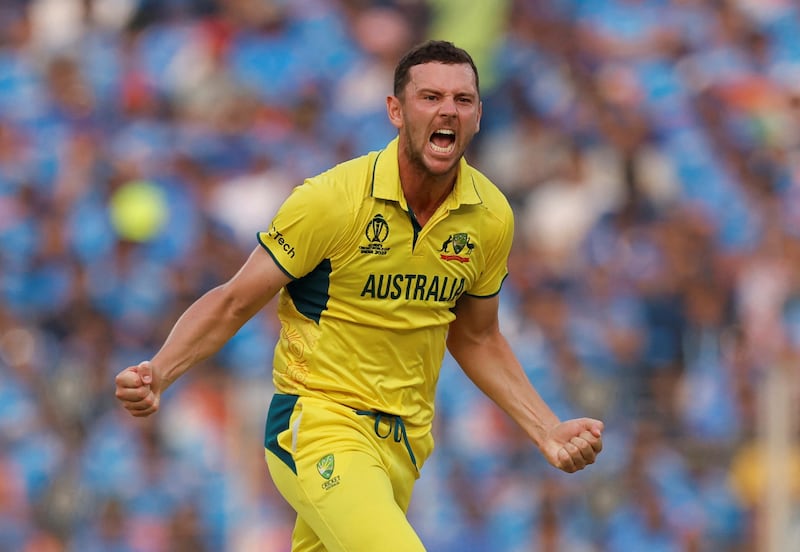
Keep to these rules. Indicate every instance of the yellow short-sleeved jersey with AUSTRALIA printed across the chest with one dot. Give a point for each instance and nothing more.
(364, 319)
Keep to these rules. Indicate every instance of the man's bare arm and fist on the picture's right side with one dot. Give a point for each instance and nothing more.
(475, 341)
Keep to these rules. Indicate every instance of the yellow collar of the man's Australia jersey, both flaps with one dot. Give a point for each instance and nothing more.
(386, 180)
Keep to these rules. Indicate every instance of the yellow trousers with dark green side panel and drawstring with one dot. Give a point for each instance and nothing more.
(348, 474)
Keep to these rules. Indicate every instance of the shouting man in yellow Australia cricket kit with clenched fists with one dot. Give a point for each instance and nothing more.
(380, 262)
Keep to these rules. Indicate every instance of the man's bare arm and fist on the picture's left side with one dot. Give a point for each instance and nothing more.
(200, 332)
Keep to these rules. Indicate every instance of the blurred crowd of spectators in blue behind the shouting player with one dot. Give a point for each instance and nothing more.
(650, 149)
